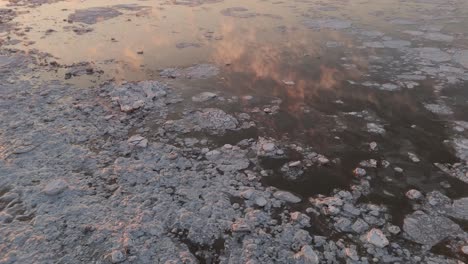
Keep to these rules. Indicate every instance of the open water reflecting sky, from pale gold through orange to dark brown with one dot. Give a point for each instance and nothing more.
(265, 49)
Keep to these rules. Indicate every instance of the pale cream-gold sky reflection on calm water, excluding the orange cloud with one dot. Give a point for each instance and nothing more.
(273, 27)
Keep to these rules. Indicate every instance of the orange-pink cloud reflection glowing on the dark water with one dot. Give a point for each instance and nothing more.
(298, 57)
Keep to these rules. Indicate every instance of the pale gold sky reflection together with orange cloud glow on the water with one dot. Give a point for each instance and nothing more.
(253, 41)
